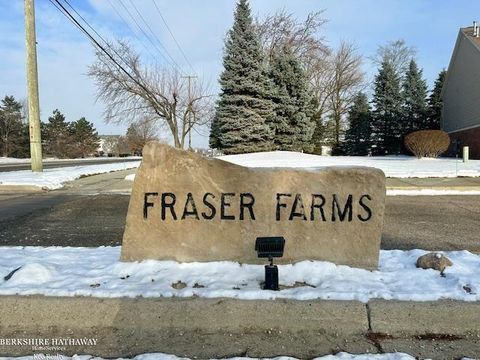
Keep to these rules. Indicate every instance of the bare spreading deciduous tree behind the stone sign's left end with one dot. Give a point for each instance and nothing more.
(161, 95)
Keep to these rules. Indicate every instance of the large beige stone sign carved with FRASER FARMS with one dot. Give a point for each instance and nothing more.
(186, 207)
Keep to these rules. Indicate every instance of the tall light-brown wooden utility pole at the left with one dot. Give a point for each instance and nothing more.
(32, 88)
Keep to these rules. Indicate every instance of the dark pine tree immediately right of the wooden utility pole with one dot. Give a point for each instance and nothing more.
(57, 136)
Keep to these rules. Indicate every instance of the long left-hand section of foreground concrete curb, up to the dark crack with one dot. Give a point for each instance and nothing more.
(193, 327)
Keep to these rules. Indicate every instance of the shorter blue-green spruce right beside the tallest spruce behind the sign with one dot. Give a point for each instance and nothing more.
(292, 123)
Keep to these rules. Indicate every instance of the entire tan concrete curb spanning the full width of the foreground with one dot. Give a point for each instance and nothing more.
(191, 327)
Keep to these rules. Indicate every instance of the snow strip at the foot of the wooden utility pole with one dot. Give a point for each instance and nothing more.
(54, 178)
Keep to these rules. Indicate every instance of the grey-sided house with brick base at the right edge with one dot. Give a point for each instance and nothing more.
(461, 92)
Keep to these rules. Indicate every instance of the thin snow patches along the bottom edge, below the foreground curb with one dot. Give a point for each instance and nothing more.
(159, 356)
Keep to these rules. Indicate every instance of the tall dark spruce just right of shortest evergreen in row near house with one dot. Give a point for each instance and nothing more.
(387, 116)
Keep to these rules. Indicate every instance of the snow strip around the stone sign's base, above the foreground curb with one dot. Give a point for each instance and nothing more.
(57, 271)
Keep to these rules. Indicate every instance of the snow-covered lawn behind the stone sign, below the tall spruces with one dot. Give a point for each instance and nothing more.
(392, 166)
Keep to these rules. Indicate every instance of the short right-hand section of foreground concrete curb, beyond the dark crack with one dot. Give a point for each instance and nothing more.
(445, 329)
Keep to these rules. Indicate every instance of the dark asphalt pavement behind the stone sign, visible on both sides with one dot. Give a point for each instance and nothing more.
(85, 215)
